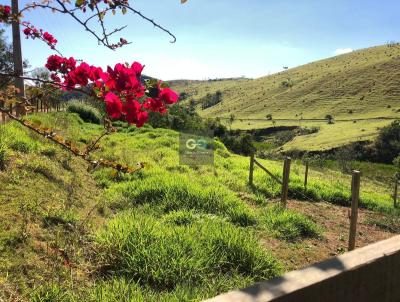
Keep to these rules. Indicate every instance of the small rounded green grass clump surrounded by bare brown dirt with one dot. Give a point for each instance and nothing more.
(289, 225)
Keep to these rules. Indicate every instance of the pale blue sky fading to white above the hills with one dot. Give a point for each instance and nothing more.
(226, 38)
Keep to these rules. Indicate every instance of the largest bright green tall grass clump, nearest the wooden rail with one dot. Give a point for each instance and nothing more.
(163, 255)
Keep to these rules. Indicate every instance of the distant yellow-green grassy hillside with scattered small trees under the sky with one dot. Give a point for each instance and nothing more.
(359, 85)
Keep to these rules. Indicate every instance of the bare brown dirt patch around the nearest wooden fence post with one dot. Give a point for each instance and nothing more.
(335, 223)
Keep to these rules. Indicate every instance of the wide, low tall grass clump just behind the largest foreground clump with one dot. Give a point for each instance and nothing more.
(176, 192)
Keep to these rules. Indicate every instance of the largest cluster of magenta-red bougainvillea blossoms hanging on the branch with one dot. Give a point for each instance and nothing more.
(125, 95)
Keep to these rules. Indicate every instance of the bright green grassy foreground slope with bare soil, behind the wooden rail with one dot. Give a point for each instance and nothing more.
(168, 233)
